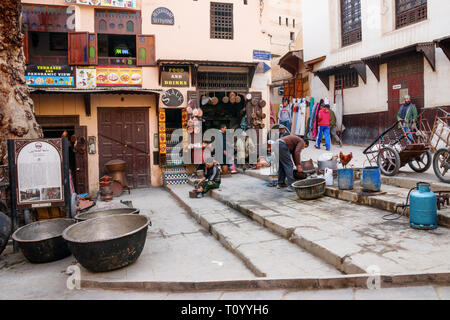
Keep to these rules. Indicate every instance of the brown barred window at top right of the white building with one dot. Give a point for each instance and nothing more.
(409, 12)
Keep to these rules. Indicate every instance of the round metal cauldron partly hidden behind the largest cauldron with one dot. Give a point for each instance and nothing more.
(42, 241)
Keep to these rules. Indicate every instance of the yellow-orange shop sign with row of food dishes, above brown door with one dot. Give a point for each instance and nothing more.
(123, 76)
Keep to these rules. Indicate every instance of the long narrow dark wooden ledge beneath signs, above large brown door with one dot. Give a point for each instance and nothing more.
(87, 93)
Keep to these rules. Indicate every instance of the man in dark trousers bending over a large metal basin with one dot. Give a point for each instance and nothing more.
(289, 146)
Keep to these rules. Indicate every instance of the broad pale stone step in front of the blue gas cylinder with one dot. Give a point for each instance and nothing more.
(351, 237)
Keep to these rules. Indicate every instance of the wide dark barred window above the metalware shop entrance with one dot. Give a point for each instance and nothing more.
(222, 81)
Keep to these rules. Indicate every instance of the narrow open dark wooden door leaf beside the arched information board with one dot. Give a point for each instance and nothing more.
(81, 161)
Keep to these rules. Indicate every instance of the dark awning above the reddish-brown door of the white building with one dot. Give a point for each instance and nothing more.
(427, 49)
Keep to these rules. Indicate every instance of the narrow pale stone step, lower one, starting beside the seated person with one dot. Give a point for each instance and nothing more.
(265, 253)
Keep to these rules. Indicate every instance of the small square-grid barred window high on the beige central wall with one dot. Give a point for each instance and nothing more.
(221, 20)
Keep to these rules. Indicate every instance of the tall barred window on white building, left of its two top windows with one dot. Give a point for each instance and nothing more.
(351, 21)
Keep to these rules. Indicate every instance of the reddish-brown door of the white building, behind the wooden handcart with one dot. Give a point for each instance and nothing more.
(405, 76)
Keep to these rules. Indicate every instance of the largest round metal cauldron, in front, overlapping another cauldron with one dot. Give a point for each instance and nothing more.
(108, 243)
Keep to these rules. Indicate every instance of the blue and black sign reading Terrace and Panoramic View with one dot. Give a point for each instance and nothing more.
(49, 76)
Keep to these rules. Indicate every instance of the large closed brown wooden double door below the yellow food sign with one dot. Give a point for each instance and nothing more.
(124, 134)
